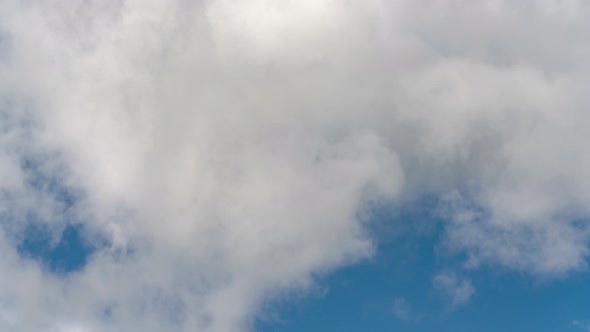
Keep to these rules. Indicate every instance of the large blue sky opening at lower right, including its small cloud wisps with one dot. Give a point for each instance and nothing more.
(414, 285)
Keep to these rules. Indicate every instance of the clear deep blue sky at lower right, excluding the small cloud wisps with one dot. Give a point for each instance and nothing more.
(362, 298)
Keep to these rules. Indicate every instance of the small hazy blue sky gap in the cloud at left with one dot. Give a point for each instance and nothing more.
(60, 246)
